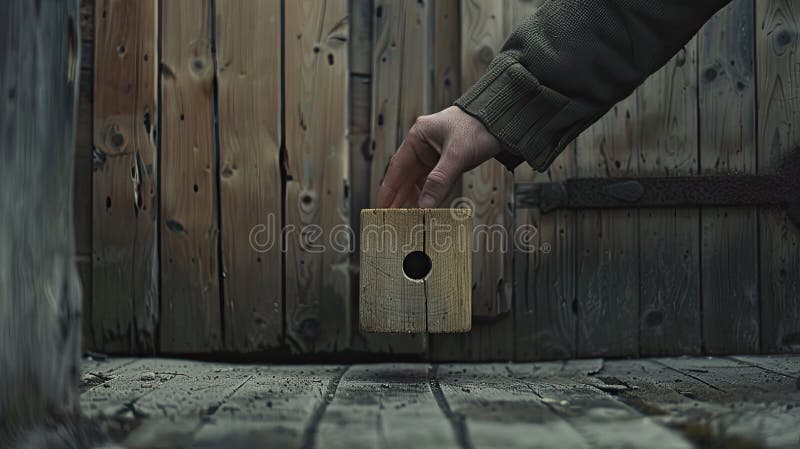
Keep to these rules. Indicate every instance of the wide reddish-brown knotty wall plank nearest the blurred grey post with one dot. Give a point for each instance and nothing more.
(125, 209)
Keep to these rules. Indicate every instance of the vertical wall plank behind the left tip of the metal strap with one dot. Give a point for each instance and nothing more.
(544, 252)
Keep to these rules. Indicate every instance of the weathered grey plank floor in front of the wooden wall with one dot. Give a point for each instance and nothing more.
(725, 402)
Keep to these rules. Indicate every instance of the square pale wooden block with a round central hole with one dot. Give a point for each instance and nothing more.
(416, 270)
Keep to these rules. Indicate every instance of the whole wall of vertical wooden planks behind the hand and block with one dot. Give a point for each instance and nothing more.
(206, 123)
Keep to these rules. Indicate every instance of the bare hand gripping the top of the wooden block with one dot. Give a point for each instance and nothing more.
(437, 150)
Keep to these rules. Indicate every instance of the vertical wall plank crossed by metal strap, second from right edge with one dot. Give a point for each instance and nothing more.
(729, 253)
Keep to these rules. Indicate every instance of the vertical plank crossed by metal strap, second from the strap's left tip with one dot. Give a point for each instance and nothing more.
(607, 278)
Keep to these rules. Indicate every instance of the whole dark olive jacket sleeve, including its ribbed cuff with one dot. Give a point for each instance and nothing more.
(569, 63)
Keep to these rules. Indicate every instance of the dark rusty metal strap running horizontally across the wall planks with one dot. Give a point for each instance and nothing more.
(683, 191)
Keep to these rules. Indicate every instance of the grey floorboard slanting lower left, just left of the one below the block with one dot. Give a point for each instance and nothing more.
(279, 407)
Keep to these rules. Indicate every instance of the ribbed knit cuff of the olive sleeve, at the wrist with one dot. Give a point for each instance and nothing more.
(532, 121)
